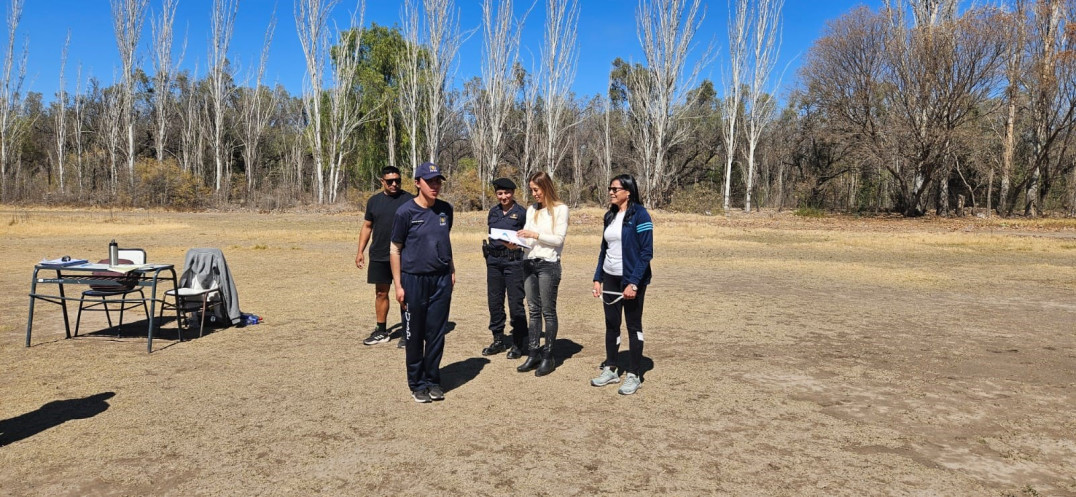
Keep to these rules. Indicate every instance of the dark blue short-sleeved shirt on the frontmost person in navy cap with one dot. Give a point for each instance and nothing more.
(424, 234)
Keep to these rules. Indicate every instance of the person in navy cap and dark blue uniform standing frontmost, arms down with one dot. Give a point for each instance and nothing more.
(424, 274)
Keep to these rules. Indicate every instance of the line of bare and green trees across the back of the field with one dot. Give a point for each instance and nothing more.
(915, 107)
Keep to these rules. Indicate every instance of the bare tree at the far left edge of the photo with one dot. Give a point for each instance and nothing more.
(11, 90)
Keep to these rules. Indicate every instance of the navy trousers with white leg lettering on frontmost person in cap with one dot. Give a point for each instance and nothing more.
(426, 322)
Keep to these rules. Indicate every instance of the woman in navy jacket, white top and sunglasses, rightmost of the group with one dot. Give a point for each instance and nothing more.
(621, 278)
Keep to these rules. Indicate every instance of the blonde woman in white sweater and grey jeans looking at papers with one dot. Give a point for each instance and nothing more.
(546, 228)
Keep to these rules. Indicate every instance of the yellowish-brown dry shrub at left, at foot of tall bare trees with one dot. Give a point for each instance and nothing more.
(164, 184)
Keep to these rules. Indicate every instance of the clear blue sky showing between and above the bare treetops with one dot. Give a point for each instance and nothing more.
(606, 32)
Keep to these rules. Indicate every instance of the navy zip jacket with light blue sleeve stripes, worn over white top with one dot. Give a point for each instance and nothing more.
(638, 246)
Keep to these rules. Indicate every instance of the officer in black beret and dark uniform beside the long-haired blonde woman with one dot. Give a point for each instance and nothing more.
(504, 274)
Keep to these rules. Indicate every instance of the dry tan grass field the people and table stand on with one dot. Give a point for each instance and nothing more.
(788, 357)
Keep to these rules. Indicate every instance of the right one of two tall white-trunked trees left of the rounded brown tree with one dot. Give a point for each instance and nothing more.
(760, 104)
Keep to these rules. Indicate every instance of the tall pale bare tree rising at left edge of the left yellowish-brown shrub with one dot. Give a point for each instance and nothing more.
(128, 19)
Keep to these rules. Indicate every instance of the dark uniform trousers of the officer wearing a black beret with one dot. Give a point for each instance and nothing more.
(505, 276)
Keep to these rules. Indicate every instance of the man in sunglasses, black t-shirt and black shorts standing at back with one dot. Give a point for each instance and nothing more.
(380, 211)
